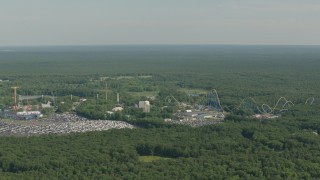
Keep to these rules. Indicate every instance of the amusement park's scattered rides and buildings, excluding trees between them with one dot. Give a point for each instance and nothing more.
(202, 108)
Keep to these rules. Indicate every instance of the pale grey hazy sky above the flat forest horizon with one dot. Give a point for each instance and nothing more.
(81, 22)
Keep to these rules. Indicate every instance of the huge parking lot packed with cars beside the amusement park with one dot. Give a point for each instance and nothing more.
(58, 124)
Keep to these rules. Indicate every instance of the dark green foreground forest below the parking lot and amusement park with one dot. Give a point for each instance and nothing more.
(286, 148)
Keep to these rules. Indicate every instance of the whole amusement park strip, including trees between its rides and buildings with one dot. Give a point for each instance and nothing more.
(197, 109)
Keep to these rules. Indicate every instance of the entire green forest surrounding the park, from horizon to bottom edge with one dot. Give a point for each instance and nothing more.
(240, 147)
